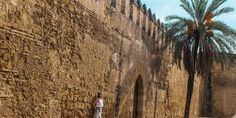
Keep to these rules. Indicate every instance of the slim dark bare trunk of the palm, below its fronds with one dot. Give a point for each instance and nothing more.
(189, 95)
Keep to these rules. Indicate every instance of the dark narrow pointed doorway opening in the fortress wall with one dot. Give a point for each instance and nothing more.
(138, 98)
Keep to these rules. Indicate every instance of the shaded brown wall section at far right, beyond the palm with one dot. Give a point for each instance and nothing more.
(224, 90)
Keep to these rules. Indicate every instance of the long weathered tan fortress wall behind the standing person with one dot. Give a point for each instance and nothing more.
(55, 55)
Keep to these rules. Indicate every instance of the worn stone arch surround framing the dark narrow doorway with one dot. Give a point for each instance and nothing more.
(127, 89)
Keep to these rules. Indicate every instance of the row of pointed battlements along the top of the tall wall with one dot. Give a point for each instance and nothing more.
(132, 10)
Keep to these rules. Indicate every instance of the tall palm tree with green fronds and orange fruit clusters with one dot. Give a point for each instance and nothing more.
(199, 41)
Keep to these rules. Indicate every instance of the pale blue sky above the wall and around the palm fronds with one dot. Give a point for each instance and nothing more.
(163, 8)
